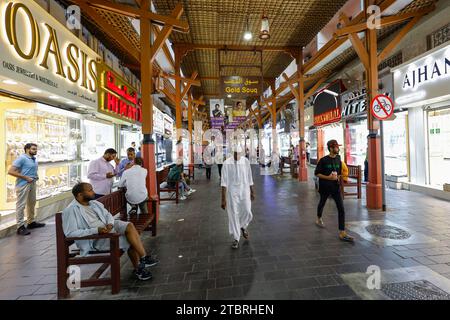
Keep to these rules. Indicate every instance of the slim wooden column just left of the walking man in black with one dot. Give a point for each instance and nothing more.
(302, 170)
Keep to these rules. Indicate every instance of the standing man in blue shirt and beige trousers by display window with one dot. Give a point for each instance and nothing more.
(24, 169)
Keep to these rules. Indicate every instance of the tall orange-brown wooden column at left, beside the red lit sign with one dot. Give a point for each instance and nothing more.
(148, 148)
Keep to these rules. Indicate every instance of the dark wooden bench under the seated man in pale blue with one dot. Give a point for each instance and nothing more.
(115, 203)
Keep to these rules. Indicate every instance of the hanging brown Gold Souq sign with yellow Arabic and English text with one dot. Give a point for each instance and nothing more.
(241, 86)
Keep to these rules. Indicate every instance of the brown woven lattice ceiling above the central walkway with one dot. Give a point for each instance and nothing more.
(223, 22)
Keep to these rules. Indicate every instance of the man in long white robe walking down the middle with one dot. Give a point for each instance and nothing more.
(237, 194)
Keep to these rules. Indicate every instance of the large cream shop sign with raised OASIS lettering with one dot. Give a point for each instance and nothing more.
(39, 51)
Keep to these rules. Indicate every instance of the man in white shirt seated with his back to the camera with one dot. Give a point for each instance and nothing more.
(134, 180)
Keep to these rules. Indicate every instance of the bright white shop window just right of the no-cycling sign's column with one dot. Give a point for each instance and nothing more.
(395, 146)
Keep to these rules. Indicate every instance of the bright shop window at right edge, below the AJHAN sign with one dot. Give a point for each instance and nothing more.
(439, 142)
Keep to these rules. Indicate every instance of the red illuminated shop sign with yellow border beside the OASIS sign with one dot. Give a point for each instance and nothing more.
(117, 98)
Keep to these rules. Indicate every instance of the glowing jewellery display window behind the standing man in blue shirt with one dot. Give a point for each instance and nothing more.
(58, 137)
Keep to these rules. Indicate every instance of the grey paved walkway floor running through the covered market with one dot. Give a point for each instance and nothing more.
(287, 256)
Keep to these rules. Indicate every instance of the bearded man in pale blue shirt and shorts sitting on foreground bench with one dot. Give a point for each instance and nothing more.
(85, 216)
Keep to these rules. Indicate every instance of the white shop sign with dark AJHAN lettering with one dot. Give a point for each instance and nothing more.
(425, 80)
